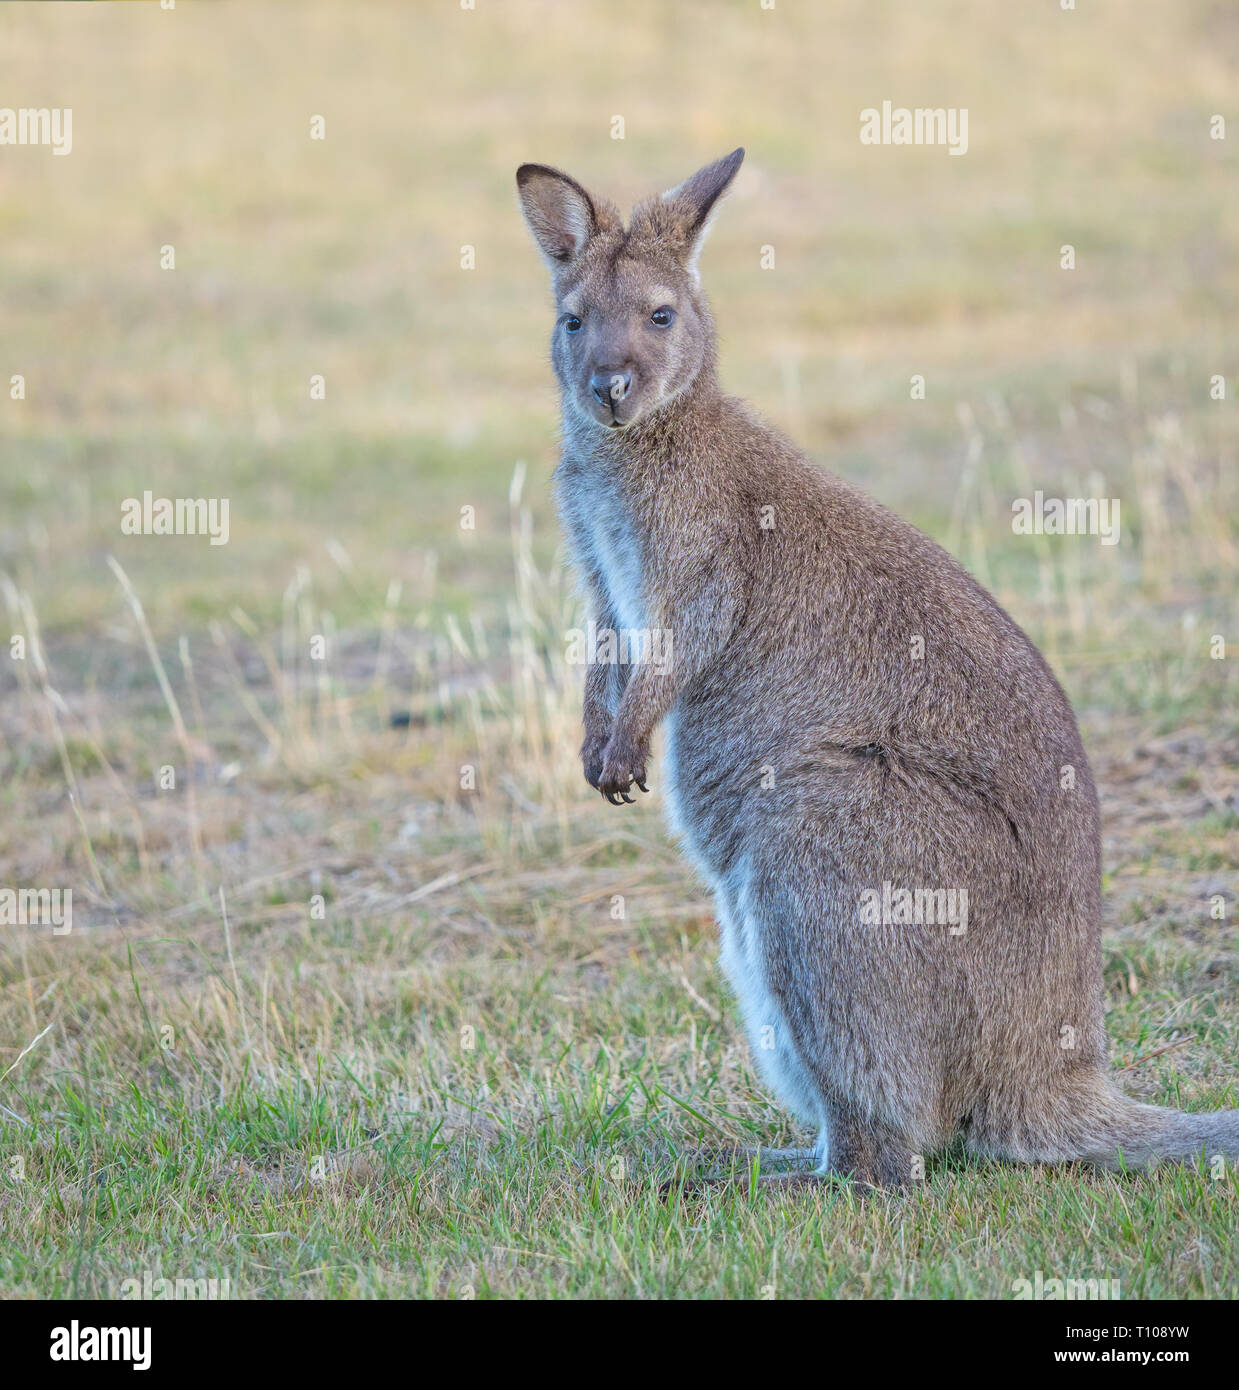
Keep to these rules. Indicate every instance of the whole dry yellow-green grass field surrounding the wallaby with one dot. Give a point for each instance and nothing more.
(380, 999)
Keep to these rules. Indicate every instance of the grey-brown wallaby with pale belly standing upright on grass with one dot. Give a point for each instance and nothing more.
(853, 730)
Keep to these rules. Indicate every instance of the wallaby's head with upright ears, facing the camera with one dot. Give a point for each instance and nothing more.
(632, 330)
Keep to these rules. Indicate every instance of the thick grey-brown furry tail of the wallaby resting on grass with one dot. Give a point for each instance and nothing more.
(1094, 1122)
